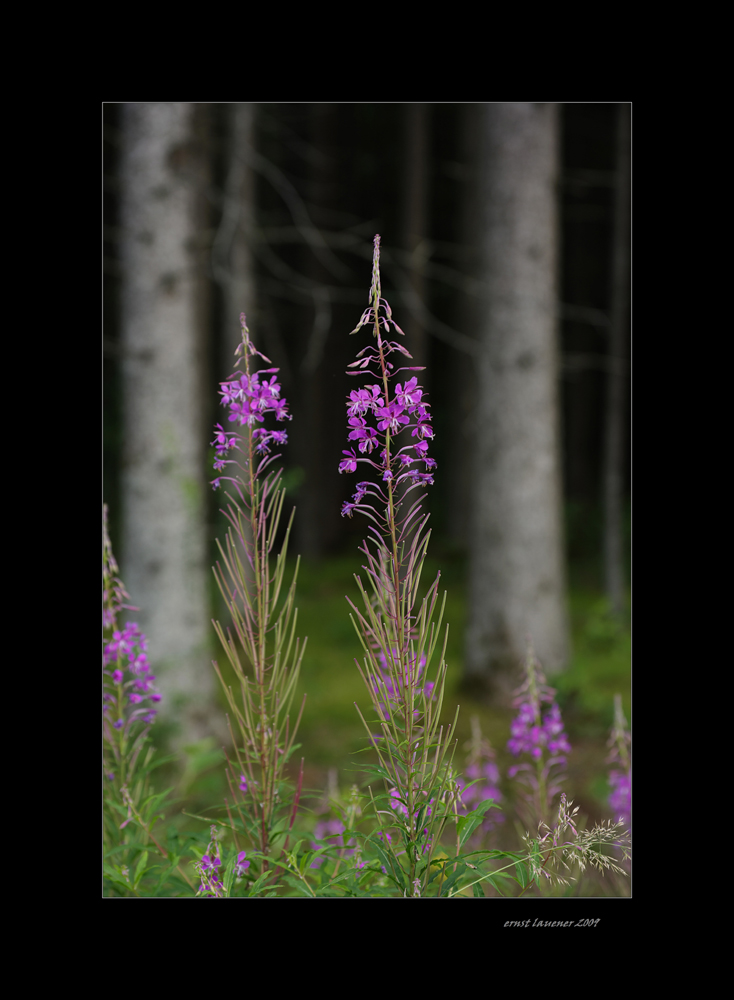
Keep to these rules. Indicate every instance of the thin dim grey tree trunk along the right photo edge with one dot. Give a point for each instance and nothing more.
(618, 372)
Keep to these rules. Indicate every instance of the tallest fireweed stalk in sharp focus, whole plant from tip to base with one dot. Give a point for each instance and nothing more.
(390, 429)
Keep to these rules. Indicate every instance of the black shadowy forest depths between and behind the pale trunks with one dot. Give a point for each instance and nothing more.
(320, 181)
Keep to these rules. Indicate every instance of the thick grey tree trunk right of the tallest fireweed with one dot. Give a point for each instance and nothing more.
(517, 585)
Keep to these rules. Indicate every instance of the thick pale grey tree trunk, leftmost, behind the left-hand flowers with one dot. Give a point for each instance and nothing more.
(163, 302)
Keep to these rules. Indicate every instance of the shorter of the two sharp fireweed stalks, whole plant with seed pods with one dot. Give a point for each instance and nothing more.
(261, 644)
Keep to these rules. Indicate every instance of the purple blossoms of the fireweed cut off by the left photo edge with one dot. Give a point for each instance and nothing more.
(127, 653)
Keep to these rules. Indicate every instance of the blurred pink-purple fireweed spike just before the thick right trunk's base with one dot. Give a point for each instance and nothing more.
(540, 735)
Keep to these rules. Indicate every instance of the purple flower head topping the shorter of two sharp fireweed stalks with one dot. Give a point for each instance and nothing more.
(248, 398)
